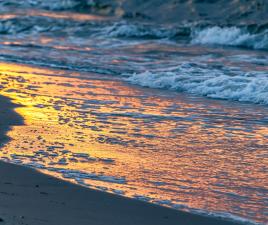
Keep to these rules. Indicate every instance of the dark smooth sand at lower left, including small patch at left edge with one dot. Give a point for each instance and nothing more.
(29, 197)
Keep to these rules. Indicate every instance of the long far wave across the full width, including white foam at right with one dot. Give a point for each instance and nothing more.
(191, 33)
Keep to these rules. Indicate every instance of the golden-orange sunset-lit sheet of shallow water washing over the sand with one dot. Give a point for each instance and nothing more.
(201, 153)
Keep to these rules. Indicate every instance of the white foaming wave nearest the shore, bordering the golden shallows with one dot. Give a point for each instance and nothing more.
(245, 87)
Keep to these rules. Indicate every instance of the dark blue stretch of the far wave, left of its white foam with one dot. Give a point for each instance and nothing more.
(38, 24)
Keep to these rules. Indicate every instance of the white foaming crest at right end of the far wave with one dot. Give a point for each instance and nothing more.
(231, 36)
